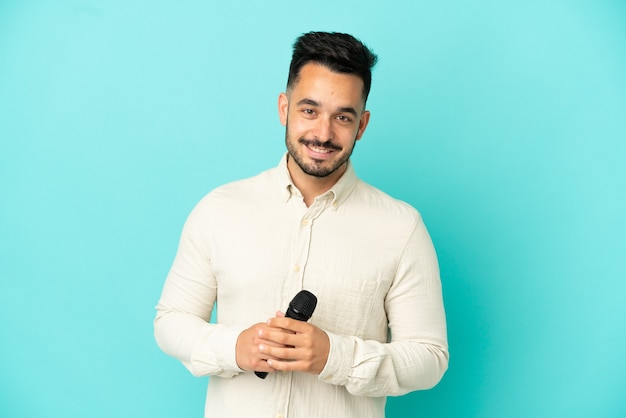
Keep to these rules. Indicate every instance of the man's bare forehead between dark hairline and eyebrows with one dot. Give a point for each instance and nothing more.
(319, 83)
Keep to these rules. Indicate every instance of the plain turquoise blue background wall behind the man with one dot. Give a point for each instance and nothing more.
(504, 123)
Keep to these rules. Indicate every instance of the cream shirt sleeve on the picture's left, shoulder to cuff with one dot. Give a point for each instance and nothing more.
(181, 326)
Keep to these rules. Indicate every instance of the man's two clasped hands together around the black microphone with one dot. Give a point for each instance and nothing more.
(283, 344)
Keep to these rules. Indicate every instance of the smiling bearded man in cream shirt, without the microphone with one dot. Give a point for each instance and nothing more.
(310, 223)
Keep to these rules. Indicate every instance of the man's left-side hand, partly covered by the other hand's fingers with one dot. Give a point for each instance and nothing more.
(249, 348)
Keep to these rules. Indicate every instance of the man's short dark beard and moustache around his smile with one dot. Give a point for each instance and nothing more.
(317, 168)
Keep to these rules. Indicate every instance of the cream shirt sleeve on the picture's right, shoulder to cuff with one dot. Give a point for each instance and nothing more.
(415, 357)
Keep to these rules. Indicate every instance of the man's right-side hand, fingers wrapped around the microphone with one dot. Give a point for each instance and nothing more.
(296, 345)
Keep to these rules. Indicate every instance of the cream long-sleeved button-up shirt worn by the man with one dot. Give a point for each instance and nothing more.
(249, 246)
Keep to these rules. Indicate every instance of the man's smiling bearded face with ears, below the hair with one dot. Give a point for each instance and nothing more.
(324, 116)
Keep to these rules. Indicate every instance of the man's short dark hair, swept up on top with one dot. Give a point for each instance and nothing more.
(339, 52)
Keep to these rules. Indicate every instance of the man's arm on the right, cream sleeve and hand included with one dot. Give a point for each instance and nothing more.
(416, 355)
